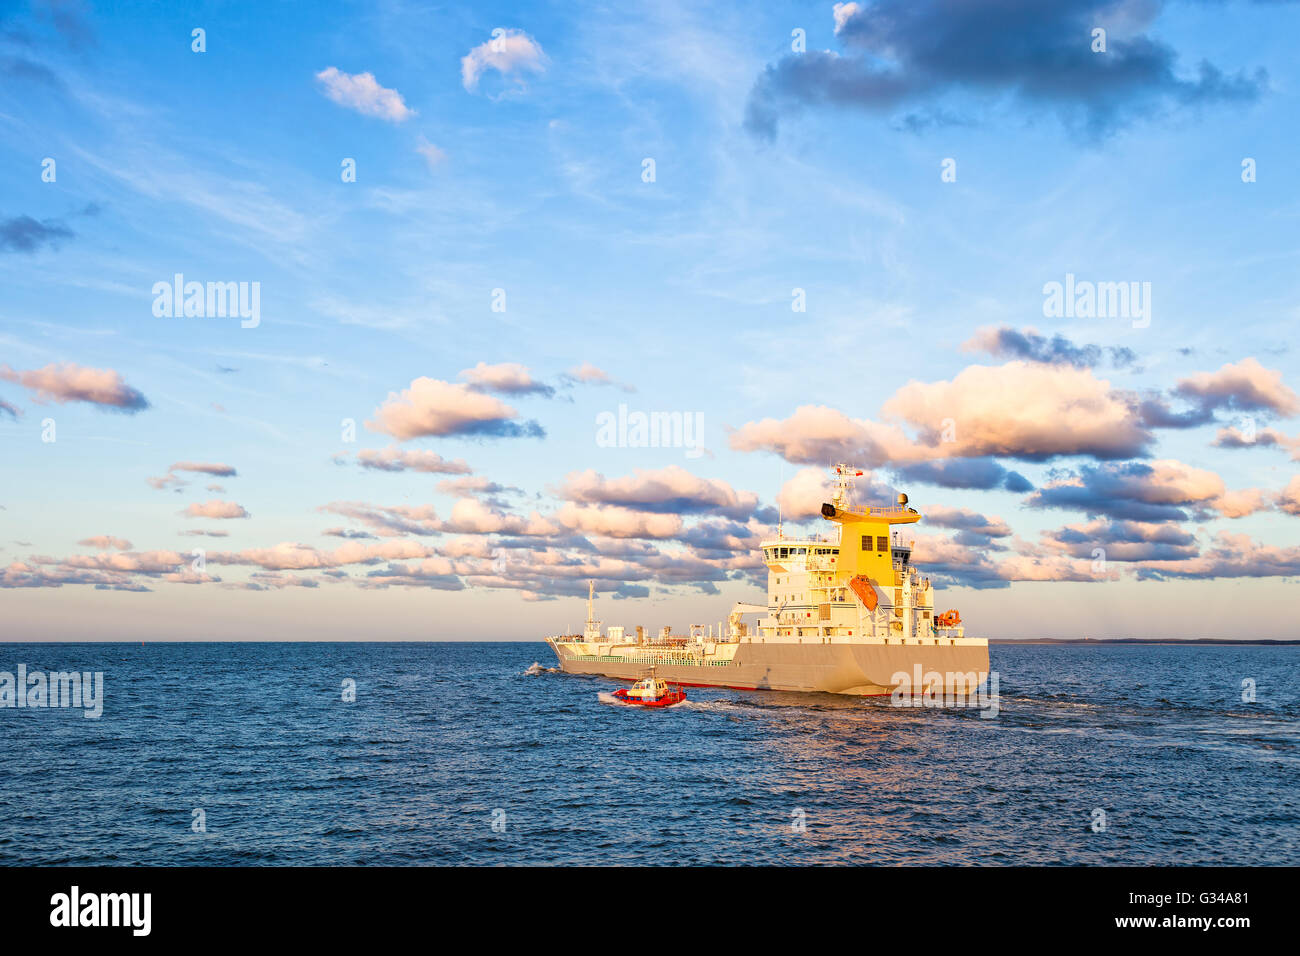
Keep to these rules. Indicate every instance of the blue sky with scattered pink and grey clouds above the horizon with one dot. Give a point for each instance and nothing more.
(1042, 279)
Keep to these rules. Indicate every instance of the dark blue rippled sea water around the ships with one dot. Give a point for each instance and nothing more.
(444, 741)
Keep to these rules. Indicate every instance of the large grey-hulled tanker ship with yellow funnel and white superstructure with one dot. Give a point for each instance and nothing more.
(847, 613)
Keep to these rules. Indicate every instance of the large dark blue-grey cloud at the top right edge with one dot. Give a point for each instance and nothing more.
(930, 53)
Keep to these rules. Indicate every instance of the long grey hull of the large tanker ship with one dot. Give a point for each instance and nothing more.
(851, 669)
